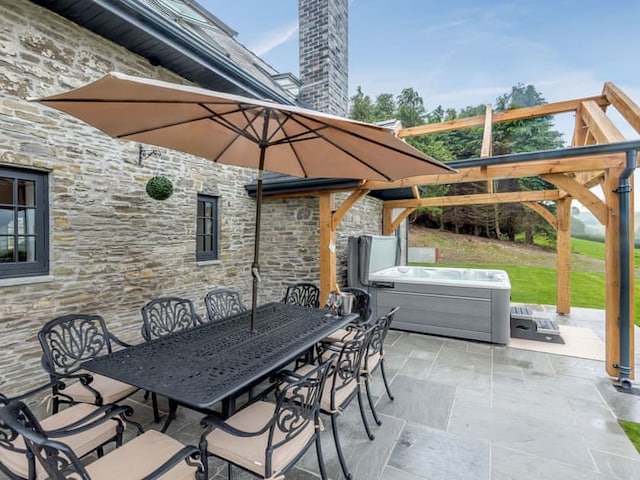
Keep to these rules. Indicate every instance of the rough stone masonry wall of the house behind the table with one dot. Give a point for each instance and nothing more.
(112, 247)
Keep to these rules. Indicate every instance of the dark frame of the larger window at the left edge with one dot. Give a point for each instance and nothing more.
(40, 266)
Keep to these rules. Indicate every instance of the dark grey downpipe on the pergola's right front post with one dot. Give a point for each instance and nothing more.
(624, 191)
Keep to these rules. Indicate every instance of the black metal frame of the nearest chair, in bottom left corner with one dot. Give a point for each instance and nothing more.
(60, 461)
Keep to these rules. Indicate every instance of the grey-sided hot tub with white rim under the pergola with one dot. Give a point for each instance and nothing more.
(457, 302)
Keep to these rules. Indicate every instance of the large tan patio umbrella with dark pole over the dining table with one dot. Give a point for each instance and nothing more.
(242, 131)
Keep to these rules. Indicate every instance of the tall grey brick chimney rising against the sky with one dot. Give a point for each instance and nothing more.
(324, 59)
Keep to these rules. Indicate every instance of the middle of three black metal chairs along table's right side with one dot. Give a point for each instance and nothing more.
(344, 373)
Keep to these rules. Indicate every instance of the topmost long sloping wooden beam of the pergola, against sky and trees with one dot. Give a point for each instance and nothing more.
(498, 117)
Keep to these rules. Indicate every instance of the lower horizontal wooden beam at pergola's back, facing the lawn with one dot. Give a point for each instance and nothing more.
(478, 199)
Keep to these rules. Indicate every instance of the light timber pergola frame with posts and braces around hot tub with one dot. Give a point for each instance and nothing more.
(573, 176)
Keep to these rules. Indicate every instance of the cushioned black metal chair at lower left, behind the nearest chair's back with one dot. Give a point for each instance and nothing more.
(94, 427)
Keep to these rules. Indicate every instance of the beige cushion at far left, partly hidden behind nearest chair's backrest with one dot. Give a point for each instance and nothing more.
(81, 443)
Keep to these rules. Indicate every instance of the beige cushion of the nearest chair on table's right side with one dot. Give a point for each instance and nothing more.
(249, 452)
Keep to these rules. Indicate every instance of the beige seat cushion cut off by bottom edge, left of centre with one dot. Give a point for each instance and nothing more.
(139, 457)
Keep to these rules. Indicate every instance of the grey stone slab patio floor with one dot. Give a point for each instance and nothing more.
(474, 411)
